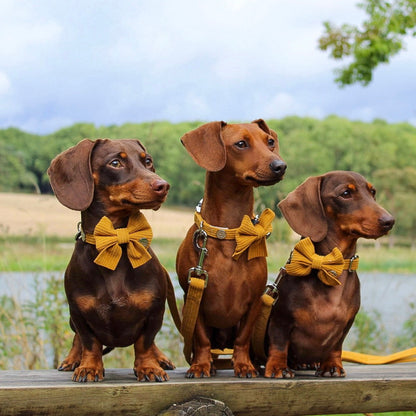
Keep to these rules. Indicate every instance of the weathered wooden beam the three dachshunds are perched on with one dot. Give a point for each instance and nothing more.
(365, 389)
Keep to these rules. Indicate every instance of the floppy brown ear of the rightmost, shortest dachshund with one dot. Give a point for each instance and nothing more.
(303, 210)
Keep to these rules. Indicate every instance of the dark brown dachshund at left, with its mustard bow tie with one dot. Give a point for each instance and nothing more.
(115, 299)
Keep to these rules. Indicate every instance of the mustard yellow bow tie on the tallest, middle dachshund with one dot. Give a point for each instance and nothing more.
(253, 236)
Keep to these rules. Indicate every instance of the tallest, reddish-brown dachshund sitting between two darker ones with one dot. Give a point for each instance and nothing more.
(237, 158)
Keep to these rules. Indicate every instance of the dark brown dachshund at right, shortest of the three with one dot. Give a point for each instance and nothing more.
(315, 310)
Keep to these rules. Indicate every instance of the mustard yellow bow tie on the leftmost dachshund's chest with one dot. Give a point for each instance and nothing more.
(108, 239)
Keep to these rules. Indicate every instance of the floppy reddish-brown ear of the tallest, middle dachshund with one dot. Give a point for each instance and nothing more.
(206, 146)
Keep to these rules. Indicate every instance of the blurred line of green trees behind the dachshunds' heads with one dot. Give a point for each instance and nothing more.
(384, 153)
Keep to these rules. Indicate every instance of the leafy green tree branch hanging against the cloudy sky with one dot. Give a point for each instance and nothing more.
(378, 39)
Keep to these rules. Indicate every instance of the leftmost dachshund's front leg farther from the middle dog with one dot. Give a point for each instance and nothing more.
(91, 367)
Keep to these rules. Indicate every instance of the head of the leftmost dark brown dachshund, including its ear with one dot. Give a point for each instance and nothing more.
(117, 173)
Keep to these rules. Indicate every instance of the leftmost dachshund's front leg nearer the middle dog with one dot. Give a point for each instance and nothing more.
(146, 363)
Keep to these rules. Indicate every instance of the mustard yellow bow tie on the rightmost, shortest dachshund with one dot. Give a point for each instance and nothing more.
(330, 267)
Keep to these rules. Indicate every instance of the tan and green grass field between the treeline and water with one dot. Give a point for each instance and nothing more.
(37, 234)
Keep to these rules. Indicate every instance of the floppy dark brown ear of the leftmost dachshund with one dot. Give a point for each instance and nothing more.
(71, 176)
